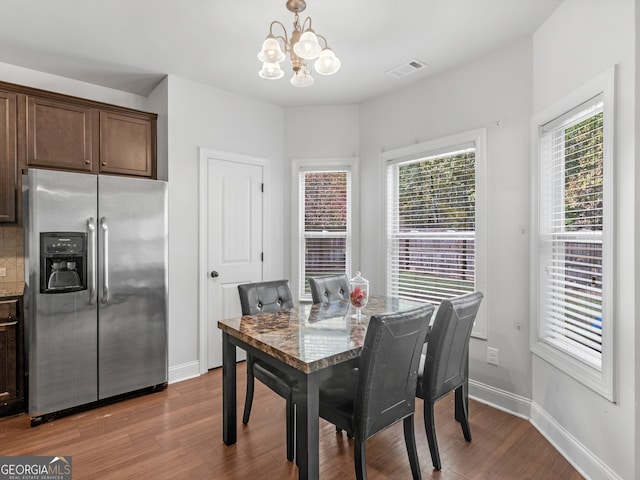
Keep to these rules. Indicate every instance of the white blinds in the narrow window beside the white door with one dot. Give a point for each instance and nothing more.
(326, 197)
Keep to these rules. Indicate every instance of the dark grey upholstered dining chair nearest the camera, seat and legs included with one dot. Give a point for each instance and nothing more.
(381, 390)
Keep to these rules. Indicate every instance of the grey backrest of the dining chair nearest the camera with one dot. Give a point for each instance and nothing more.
(388, 366)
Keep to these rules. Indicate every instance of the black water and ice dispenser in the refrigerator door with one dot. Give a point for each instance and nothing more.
(63, 262)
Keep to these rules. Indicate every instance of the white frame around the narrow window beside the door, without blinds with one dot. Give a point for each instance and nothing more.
(297, 222)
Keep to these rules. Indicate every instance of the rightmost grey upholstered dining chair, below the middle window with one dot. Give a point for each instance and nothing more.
(444, 367)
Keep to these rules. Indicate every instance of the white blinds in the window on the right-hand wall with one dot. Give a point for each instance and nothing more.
(571, 227)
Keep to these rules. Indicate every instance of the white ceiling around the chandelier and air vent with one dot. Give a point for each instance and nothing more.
(131, 45)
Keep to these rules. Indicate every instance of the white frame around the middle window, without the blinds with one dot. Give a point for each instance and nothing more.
(477, 139)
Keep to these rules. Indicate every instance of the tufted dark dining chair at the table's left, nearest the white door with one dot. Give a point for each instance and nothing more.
(265, 297)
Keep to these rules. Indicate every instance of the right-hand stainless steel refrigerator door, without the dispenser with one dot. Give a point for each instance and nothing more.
(132, 284)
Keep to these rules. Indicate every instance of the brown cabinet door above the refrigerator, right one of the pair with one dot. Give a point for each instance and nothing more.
(126, 144)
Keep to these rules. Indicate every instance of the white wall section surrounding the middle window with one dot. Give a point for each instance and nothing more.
(493, 92)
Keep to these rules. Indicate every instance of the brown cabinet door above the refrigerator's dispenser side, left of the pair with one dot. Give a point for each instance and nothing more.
(59, 135)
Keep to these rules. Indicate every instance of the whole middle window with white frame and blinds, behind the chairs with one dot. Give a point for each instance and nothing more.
(432, 217)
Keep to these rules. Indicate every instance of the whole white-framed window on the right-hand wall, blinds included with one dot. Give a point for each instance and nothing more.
(572, 243)
